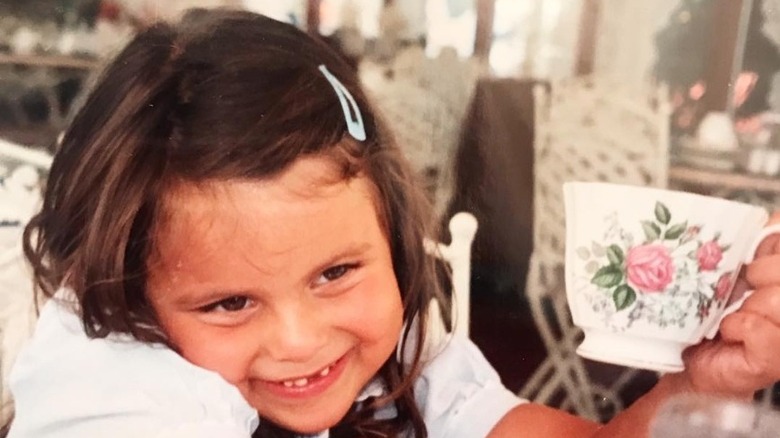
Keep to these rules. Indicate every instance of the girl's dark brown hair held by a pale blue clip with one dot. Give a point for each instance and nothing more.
(220, 95)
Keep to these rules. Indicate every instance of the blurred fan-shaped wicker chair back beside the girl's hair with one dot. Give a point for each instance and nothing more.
(424, 101)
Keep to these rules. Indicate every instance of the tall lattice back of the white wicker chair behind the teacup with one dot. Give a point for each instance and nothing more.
(590, 131)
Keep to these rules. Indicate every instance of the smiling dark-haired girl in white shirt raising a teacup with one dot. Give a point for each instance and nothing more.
(232, 247)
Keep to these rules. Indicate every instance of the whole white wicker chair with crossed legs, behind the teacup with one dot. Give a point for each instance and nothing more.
(584, 131)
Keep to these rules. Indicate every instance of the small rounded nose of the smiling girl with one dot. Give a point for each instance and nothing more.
(297, 335)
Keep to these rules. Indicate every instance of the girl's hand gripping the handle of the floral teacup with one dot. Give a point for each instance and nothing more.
(745, 357)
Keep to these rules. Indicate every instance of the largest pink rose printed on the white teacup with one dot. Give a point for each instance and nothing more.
(649, 267)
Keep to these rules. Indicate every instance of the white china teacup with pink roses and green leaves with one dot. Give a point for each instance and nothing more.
(650, 272)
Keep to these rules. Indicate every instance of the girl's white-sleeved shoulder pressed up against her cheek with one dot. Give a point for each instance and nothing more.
(65, 384)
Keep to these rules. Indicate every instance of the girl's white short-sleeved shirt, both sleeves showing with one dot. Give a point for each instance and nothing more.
(66, 385)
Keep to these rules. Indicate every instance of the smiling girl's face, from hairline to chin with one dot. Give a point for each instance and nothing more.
(285, 287)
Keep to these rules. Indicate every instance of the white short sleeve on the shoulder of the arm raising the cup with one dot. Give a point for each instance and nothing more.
(459, 392)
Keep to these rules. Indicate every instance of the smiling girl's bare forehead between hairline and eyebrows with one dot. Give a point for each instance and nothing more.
(262, 226)
